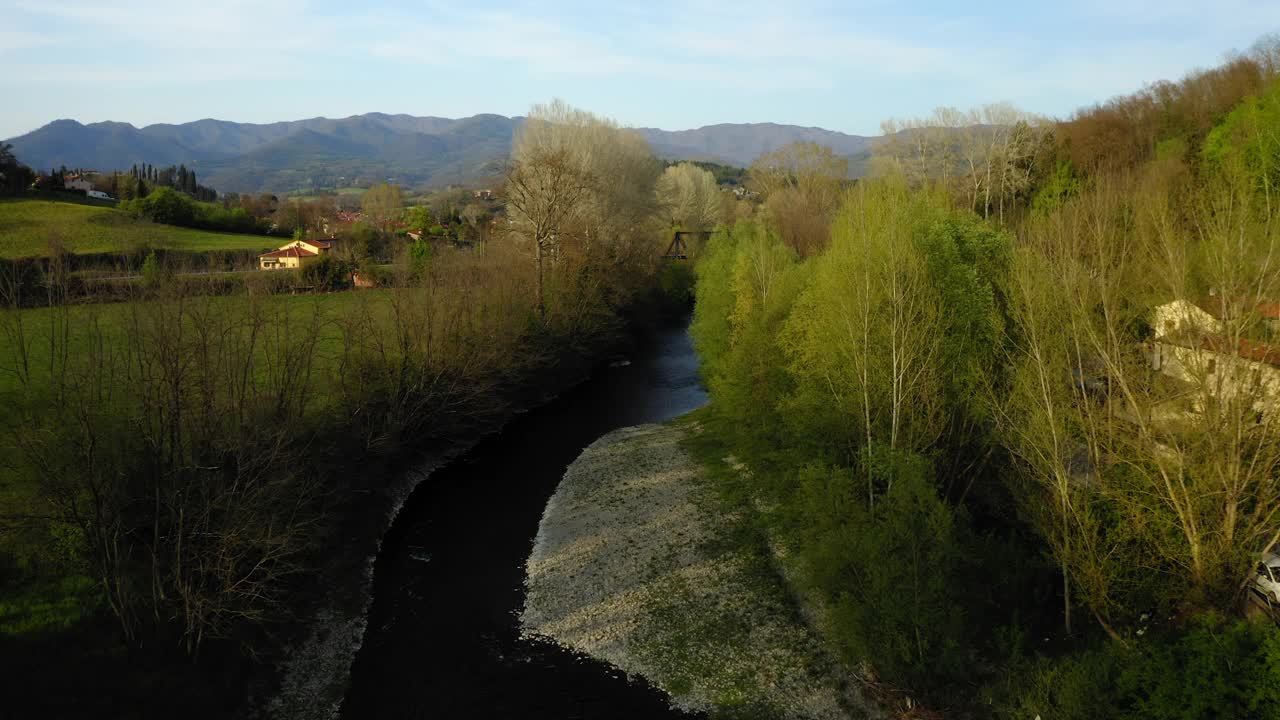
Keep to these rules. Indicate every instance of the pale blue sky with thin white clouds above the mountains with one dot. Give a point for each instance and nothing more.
(673, 65)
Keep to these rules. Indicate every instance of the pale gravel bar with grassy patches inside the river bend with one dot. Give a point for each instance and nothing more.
(641, 563)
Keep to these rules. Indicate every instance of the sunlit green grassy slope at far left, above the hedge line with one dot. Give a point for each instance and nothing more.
(29, 226)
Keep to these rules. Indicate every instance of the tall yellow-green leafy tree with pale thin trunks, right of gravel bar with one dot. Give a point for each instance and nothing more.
(865, 340)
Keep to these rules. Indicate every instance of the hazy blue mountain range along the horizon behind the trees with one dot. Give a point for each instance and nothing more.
(322, 153)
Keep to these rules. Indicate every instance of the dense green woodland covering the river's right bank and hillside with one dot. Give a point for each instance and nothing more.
(1012, 400)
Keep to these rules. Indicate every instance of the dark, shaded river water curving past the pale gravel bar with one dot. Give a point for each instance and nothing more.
(444, 631)
